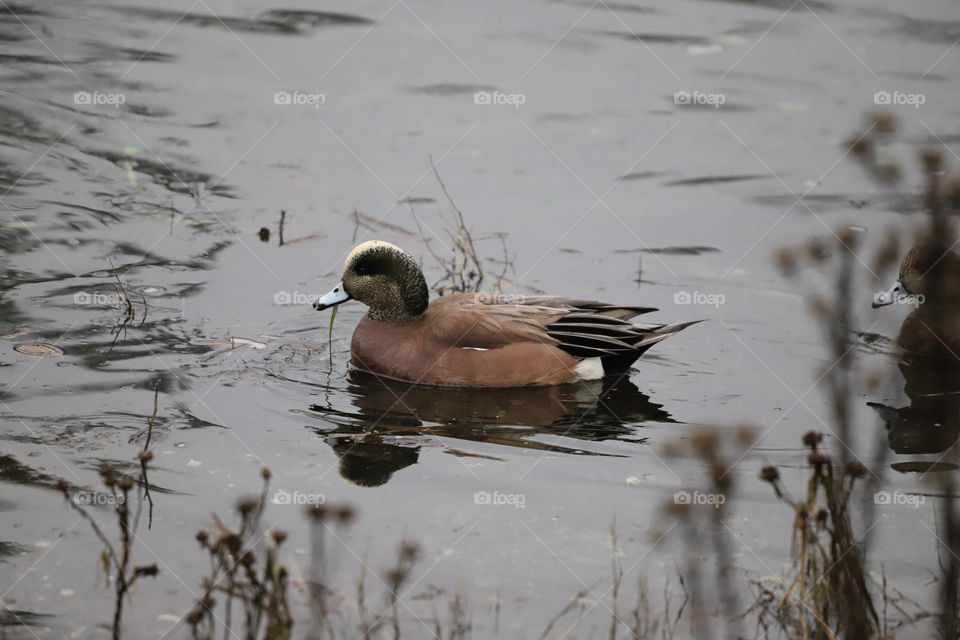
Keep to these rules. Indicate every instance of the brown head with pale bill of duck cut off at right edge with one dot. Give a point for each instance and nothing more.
(929, 272)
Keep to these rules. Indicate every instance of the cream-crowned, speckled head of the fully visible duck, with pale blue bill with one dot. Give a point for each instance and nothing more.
(385, 278)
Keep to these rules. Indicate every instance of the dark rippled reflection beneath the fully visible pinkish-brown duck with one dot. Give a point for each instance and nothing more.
(392, 419)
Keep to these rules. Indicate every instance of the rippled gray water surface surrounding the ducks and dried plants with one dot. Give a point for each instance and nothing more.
(599, 165)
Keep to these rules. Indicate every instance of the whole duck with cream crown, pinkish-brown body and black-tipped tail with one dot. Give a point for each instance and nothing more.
(481, 340)
